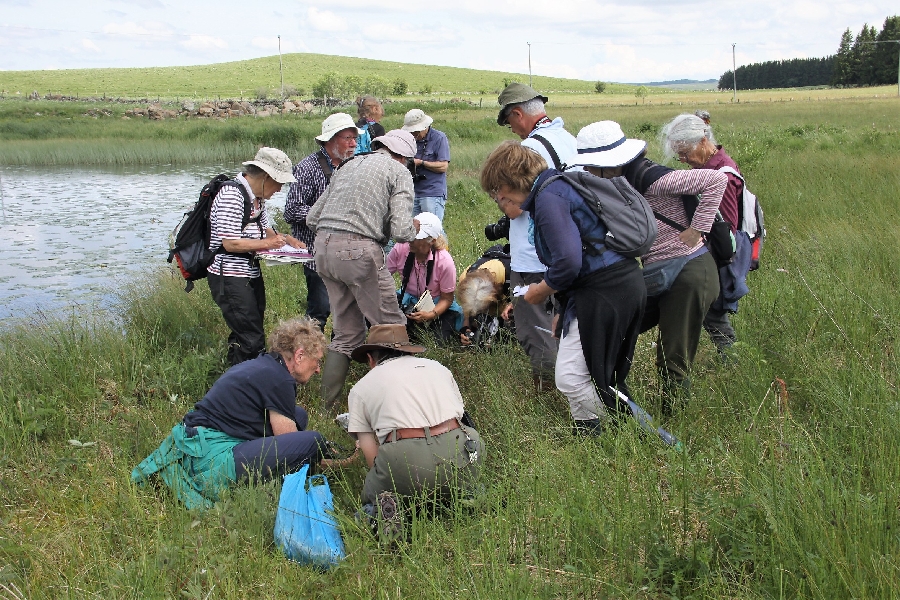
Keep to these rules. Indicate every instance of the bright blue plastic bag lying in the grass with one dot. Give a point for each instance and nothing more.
(305, 528)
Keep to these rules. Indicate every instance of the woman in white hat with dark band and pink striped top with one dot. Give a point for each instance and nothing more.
(680, 273)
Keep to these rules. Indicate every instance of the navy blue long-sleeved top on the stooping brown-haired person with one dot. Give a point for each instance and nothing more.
(562, 223)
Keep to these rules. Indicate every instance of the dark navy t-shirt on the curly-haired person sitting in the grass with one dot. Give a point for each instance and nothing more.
(240, 401)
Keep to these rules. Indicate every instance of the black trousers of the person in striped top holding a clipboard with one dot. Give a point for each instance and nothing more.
(243, 304)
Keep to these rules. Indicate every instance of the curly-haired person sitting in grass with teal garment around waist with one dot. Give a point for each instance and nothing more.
(247, 424)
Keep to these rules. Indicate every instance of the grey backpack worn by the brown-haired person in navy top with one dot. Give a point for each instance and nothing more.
(629, 220)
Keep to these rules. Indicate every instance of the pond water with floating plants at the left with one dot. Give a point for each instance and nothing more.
(69, 235)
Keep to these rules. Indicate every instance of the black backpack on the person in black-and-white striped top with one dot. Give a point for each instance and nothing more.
(190, 238)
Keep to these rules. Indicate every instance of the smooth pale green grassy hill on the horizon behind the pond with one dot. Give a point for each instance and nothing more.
(246, 77)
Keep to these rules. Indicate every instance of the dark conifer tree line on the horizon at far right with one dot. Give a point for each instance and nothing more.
(859, 61)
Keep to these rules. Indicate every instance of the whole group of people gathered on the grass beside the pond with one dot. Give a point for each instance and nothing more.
(578, 312)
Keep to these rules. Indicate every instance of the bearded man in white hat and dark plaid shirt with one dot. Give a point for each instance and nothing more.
(338, 142)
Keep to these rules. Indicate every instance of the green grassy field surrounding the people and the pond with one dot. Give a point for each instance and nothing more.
(774, 497)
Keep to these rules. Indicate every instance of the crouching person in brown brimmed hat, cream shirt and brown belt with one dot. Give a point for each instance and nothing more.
(407, 414)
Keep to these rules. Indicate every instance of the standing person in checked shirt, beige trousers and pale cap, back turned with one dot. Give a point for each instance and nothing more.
(368, 202)
